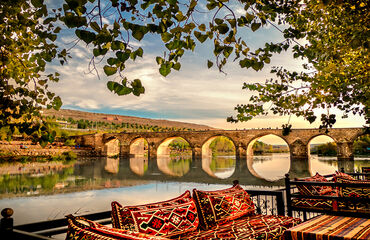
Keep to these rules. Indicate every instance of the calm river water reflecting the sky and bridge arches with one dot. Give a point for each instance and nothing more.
(39, 192)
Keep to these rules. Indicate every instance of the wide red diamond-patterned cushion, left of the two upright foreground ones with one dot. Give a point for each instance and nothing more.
(168, 218)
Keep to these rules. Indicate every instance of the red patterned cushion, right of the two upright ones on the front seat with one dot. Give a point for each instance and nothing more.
(218, 207)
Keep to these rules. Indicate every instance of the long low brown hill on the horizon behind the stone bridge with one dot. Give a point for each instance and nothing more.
(114, 118)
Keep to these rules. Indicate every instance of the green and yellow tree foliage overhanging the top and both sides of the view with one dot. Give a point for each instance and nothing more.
(336, 52)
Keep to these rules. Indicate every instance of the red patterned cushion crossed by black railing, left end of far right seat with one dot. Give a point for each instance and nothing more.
(311, 190)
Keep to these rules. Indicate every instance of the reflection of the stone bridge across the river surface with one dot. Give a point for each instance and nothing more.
(210, 170)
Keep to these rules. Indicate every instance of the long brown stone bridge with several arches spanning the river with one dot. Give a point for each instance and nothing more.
(298, 140)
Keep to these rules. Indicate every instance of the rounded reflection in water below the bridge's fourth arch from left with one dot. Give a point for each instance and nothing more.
(221, 167)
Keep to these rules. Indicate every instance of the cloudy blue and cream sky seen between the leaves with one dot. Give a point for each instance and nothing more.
(194, 94)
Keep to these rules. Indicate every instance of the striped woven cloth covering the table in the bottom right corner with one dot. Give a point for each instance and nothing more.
(330, 228)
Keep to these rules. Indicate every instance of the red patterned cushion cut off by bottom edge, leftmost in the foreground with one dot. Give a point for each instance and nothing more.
(80, 228)
